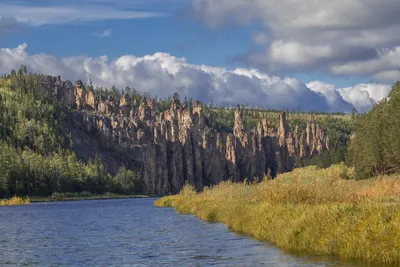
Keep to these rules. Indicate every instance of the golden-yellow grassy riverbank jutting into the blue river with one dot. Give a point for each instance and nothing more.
(321, 211)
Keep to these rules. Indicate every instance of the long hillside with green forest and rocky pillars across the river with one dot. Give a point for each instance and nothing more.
(62, 137)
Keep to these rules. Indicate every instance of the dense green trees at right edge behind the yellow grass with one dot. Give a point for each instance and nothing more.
(375, 147)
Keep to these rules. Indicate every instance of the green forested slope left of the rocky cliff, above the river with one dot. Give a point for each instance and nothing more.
(35, 153)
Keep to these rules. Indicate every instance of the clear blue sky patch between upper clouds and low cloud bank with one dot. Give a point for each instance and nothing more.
(173, 33)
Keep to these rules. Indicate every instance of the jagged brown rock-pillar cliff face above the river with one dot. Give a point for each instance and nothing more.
(181, 145)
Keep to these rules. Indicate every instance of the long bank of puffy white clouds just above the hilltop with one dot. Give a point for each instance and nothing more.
(162, 74)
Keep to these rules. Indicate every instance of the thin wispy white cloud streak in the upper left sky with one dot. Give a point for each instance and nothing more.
(70, 14)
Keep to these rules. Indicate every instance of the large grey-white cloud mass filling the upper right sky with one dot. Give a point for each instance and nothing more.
(338, 36)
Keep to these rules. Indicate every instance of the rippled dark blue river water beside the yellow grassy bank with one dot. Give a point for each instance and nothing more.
(129, 232)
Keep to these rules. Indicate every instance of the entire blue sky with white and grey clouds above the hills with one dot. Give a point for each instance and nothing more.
(310, 54)
